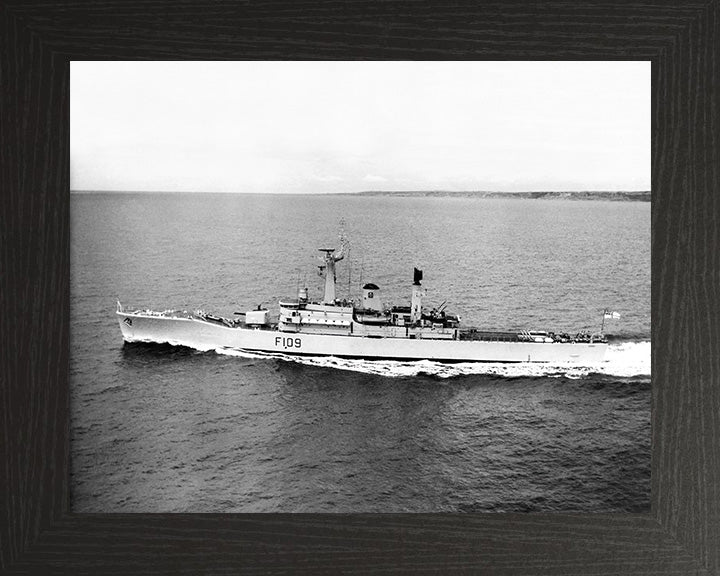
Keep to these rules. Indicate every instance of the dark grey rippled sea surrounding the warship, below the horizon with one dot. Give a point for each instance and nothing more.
(156, 428)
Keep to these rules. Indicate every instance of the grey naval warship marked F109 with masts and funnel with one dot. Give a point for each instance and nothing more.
(363, 330)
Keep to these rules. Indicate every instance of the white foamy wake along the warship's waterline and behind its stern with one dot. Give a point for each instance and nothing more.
(624, 359)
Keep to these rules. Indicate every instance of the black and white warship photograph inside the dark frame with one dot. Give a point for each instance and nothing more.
(360, 286)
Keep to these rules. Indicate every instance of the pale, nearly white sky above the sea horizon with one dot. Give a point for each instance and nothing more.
(320, 127)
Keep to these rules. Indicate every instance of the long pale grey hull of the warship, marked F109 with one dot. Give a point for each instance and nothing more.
(203, 335)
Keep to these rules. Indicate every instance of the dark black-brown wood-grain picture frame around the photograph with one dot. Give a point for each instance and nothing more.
(38, 534)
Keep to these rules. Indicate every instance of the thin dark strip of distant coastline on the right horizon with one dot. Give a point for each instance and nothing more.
(622, 196)
